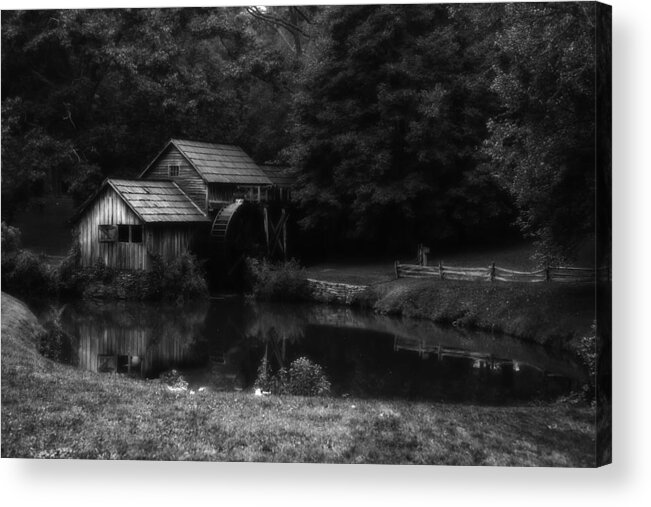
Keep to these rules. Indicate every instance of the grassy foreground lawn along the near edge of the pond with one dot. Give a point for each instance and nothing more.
(54, 411)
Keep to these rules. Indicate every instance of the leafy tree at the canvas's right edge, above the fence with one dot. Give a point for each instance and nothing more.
(542, 144)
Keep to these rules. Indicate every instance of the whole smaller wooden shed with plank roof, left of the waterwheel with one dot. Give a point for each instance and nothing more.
(126, 222)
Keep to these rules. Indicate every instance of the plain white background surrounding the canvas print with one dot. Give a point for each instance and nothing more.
(627, 482)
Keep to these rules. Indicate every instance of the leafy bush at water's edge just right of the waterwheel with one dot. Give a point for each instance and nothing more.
(284, 281)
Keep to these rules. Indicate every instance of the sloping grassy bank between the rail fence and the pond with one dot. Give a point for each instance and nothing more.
(558, 314)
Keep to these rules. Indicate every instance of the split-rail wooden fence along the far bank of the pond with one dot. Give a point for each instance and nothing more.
(494, 273)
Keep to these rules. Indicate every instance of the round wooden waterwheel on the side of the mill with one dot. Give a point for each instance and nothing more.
(238, 231)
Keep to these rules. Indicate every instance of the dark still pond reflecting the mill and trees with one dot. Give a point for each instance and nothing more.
(219, 345)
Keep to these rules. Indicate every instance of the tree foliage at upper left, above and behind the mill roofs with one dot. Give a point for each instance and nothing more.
(96, 92)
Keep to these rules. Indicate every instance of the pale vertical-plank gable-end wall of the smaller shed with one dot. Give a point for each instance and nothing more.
(109, 209)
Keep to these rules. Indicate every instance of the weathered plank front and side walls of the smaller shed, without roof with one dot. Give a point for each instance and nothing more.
(166, 240)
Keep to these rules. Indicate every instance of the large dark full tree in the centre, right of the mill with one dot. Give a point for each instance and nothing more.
(389, 122)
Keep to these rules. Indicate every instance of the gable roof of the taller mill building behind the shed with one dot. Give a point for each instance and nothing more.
(217, 163)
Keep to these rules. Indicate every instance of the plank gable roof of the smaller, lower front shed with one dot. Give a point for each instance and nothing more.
(153, 201)
